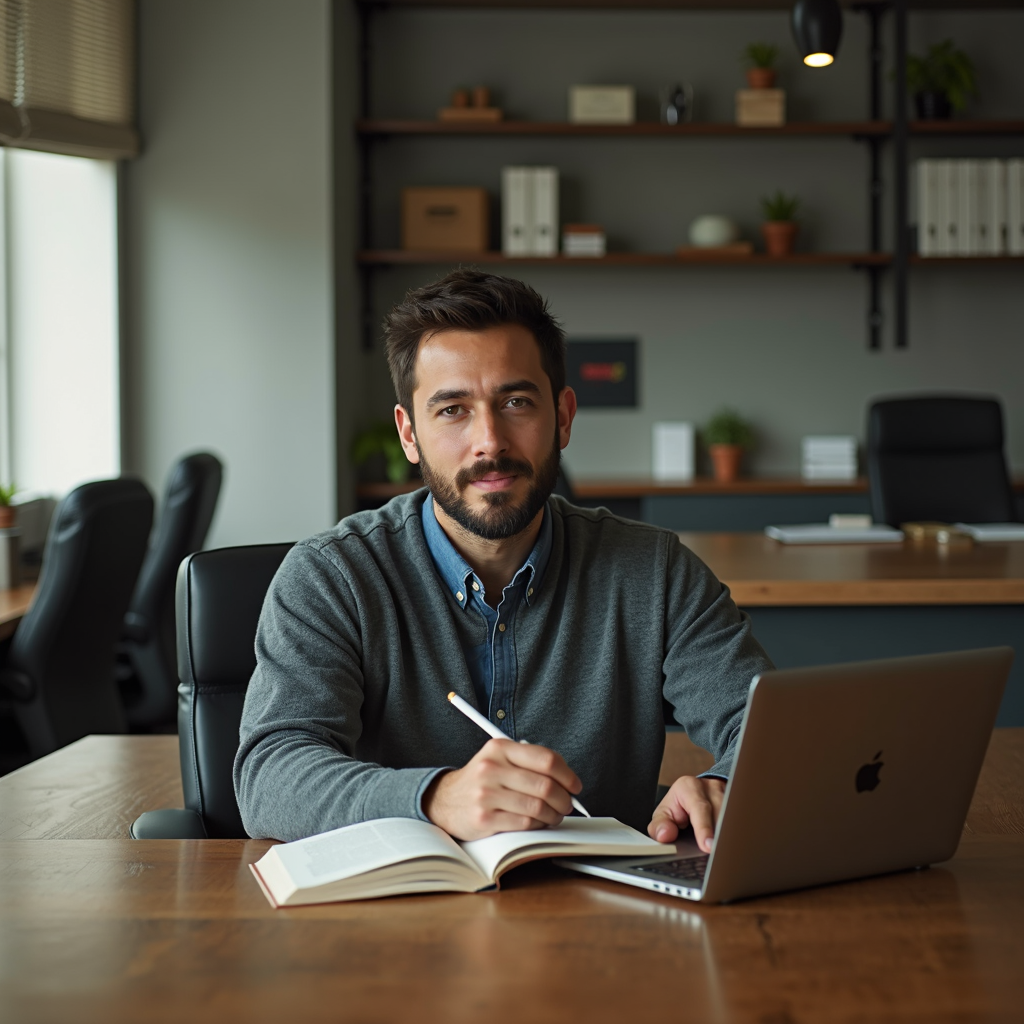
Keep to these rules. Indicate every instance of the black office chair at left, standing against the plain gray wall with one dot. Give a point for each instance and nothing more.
(148, 674)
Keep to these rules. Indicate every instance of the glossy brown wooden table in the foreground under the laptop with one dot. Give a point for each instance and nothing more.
(96, 927)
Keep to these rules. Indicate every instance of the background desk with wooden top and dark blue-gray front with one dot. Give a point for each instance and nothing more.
(816, 605)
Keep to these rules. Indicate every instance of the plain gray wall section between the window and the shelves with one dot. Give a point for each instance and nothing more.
(230, 330)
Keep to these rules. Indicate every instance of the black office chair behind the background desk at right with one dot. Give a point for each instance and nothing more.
(938, 458)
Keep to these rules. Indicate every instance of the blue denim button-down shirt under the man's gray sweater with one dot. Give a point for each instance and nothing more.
(492, 665)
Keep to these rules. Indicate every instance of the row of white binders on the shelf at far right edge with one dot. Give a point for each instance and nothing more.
(970, 207)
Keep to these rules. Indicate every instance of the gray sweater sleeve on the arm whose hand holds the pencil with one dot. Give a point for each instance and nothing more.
(296, 774)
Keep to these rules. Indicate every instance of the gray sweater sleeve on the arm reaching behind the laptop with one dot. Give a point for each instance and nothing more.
(711, 657)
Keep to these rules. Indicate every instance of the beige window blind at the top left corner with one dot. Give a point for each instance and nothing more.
(68, 77)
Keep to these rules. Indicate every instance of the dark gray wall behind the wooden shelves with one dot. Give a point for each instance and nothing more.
(787, 348)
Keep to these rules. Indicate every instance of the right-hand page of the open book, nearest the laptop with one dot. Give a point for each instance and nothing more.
(576, 837)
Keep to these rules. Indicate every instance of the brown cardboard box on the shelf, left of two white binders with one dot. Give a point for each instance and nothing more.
(445, 219)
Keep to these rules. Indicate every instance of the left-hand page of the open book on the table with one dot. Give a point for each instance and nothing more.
(365, 847)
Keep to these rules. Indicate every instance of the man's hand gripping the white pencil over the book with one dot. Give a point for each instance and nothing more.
(507, 787)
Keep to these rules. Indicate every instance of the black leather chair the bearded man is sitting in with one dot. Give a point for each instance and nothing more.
(220, 598)
